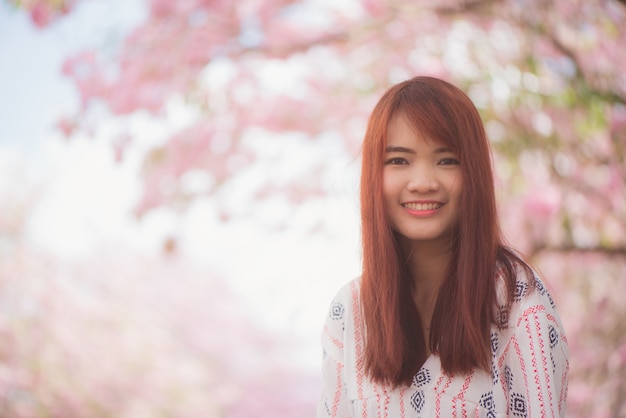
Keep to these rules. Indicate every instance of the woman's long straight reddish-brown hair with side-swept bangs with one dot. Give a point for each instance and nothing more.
(466, 307)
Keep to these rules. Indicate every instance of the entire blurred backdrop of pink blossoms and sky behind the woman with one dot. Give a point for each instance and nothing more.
(179, 181)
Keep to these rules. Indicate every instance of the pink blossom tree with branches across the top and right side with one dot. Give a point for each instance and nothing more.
(547, 77)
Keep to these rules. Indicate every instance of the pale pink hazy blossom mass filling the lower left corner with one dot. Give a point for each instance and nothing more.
(127, 335)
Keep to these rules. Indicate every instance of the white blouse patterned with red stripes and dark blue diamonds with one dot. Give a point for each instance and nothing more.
(528, 376)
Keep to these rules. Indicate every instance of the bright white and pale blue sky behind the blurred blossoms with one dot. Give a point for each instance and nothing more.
(80, 200)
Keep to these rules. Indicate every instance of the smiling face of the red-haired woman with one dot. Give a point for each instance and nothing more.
(421, 184)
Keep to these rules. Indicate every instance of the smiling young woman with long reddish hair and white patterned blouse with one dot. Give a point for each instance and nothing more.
(445, 320)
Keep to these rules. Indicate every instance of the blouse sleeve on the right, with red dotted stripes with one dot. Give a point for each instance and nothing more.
(537, 364)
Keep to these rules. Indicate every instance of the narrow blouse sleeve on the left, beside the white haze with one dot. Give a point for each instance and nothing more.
(333, 401)
